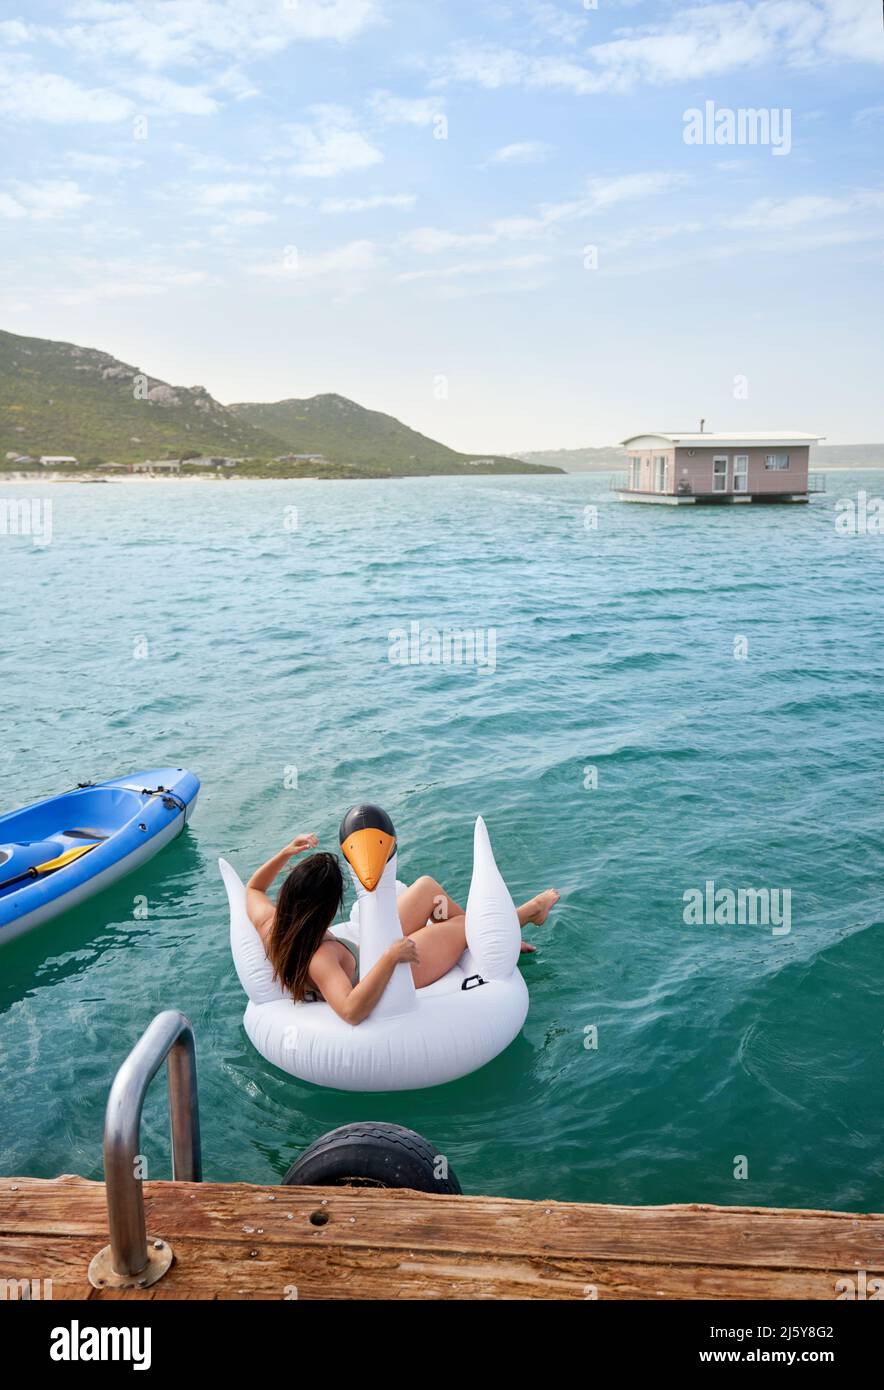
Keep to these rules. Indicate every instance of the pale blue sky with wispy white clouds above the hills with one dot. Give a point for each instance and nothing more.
(491, 220)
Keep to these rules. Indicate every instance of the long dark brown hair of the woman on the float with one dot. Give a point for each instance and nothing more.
(309, 901)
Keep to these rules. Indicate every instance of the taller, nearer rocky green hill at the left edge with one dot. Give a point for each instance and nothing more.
(62, 400)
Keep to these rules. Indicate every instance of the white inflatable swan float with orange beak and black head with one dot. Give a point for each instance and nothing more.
(414, 1038)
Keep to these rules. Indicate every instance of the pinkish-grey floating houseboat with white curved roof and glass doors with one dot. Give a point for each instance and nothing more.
(703, 466)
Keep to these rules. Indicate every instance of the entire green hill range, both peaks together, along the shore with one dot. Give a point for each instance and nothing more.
(63, 400)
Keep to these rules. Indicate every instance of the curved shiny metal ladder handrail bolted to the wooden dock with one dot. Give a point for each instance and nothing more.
(130, 1260)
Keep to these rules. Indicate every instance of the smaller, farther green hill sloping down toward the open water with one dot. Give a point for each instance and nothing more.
(347, 433)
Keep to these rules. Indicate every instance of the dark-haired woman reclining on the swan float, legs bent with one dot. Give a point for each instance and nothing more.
(309, 963)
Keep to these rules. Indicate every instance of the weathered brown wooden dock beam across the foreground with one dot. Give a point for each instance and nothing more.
(247, 1242)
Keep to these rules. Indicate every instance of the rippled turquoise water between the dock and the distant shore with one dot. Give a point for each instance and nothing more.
(268, 650)
